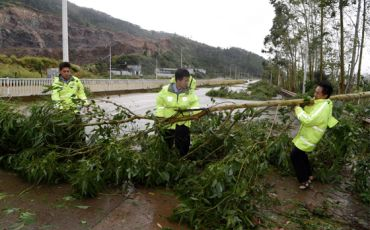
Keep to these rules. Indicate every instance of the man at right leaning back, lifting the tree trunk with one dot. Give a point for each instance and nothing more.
(314, 120)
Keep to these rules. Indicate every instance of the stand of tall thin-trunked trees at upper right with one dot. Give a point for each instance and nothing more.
(321, 26)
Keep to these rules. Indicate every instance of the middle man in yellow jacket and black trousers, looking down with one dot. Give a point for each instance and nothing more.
(172, 98)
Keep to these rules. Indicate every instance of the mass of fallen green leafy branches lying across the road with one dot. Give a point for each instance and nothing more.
(220, 182)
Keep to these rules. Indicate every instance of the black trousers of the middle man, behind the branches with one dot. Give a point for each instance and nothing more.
(181, 136)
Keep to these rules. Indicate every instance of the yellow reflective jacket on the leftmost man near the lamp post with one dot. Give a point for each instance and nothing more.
(66, 93)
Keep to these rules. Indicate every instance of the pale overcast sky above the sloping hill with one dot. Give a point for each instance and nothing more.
(219, 23)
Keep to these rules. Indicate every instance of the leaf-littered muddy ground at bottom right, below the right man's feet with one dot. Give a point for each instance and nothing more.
(322, 206)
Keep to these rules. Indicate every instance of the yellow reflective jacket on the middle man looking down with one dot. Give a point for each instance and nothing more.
(168, 101)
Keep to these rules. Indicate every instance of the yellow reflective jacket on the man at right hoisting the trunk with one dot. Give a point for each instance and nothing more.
(314, 121)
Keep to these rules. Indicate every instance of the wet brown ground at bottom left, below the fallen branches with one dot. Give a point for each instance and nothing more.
(52, 207)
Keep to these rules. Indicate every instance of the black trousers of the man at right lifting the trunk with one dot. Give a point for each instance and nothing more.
(301, 164)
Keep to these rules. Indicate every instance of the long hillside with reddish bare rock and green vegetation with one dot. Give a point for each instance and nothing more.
(33, 28)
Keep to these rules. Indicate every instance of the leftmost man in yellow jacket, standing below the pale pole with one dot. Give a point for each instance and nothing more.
(67, 90)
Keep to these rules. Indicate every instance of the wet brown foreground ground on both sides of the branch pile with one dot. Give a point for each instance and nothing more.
(24, 206)
